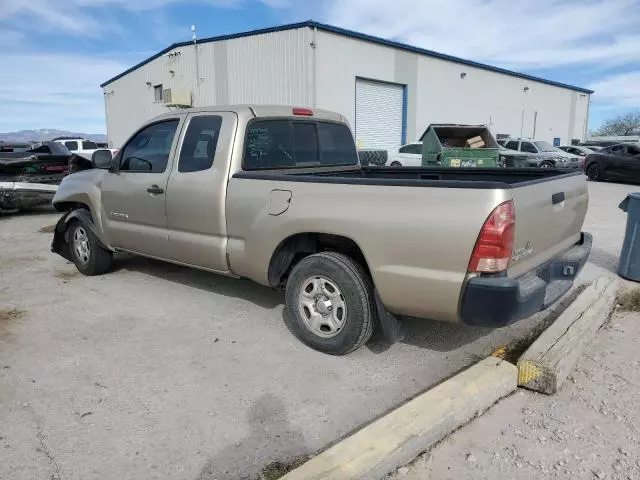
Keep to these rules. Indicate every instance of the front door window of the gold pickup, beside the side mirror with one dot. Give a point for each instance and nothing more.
(148, 151)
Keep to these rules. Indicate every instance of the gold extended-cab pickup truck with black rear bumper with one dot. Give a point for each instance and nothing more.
(276, 194)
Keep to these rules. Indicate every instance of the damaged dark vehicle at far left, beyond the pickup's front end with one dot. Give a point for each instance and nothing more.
(30, 177)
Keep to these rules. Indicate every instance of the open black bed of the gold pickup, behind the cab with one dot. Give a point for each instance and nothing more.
(483, 178)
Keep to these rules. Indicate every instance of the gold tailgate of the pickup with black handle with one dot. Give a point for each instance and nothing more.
(549, 217)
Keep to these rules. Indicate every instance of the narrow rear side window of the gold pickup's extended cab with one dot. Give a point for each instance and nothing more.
(200, 142)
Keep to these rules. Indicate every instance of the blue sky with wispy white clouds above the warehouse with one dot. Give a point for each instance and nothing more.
(55, 53)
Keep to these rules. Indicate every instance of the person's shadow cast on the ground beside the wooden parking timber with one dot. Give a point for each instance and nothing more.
(271, 441)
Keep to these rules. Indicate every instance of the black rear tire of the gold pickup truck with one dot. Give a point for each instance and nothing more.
(355, 288)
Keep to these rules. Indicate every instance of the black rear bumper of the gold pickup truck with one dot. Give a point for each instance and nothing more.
(497, 302)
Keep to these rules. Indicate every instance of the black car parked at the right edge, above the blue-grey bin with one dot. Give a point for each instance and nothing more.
(621, 162)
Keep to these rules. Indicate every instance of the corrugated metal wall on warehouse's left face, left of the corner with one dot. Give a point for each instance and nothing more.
(270, 68)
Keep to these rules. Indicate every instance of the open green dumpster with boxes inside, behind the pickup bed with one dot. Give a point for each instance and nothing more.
(450, 145)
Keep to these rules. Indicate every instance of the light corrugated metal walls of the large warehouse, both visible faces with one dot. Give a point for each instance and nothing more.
(277, 67)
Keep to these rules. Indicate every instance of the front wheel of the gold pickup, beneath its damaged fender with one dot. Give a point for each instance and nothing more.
(90, 258)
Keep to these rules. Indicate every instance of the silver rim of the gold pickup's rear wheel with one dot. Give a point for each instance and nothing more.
(322, 306)
